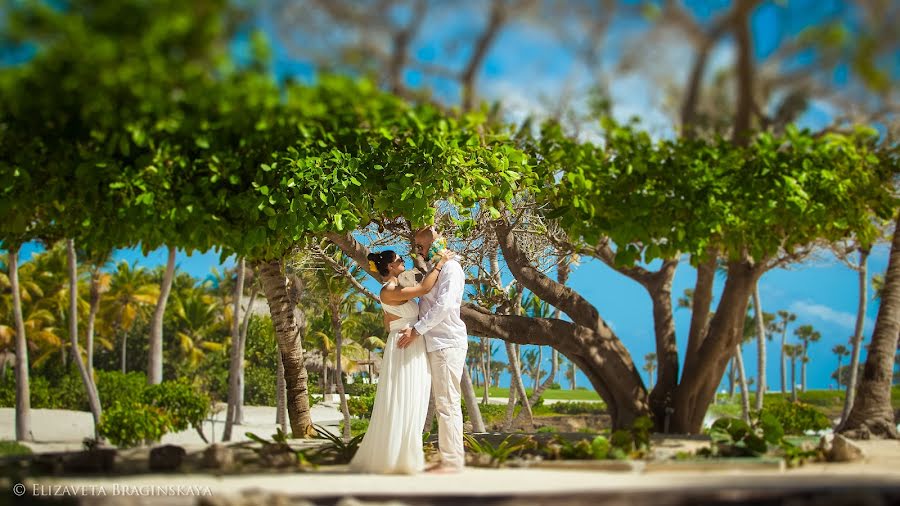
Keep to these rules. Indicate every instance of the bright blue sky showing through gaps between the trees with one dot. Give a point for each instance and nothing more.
(528, 69)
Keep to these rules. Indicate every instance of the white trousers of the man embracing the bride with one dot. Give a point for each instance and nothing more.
(446, 373)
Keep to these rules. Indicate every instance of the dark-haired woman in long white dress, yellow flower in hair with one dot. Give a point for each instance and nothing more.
(393, 441)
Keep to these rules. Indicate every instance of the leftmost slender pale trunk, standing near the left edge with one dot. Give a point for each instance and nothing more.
(23, 390)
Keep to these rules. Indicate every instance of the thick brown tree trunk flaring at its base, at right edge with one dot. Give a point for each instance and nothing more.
(872, 413)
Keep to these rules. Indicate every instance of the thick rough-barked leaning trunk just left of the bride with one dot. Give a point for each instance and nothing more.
(286, 321)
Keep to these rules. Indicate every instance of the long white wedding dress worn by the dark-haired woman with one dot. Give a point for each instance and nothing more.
(393, 441)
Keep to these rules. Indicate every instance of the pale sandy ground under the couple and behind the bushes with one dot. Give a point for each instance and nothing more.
(56, 430)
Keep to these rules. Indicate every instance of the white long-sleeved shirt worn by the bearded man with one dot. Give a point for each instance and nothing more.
(439, 320)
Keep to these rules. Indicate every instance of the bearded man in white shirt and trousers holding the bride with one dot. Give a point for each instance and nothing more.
(446, 341)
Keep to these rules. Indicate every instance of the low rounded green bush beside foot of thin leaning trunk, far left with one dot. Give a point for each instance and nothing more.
(129, 424)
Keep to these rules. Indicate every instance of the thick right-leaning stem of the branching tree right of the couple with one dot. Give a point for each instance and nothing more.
(703, 370)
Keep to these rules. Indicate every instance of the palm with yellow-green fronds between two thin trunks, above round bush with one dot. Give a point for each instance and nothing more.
(131, 294)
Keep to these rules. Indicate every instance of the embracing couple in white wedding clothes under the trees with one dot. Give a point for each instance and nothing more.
(425, 352)
